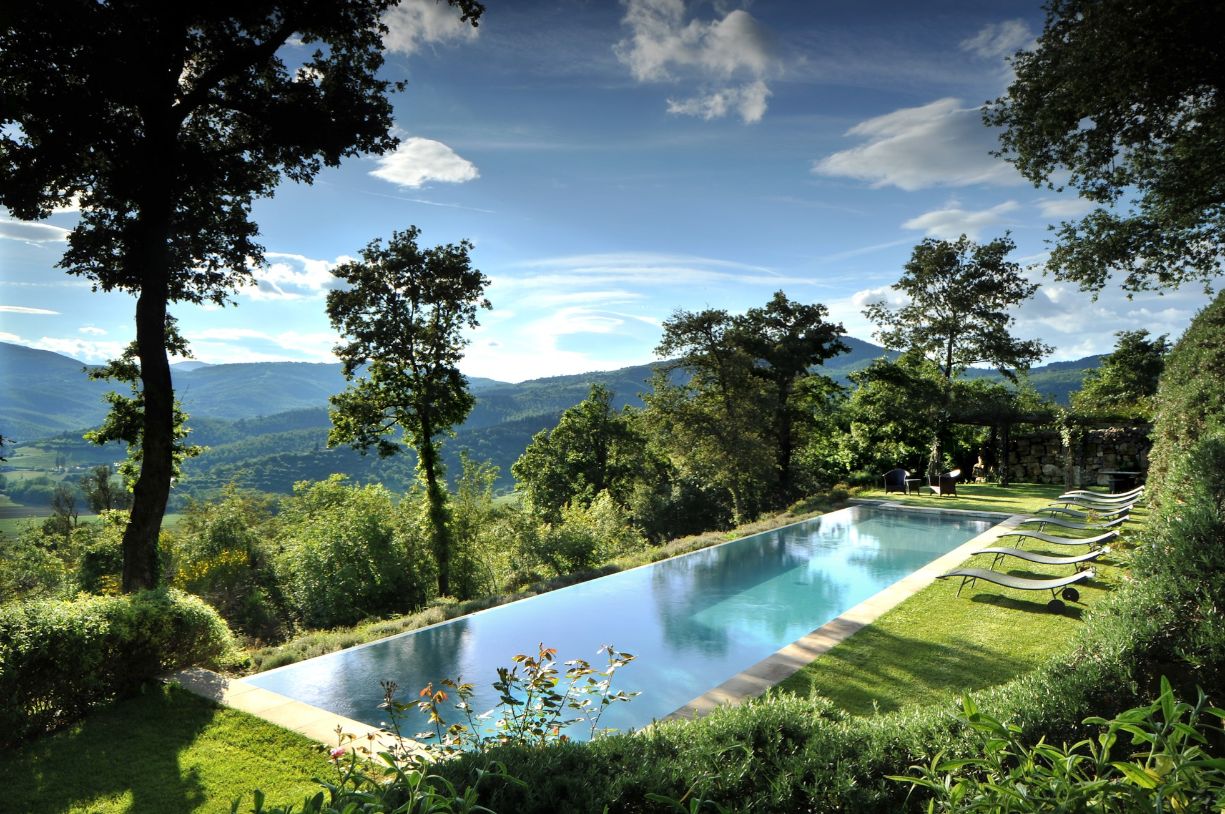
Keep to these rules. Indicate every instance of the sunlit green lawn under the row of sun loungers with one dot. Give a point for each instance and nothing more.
(937, 644)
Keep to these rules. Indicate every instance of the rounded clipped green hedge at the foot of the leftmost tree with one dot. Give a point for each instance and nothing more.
(61, 658)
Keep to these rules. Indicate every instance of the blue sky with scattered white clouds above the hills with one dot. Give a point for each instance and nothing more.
(614, 162)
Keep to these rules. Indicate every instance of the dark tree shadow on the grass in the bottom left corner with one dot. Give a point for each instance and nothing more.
(129, 750)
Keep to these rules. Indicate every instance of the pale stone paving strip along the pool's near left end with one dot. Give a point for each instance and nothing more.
(309, 721)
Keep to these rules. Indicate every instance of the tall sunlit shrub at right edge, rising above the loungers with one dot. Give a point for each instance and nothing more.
(1191, 397)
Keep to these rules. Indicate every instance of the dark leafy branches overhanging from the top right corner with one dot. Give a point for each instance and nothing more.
(1125, 102)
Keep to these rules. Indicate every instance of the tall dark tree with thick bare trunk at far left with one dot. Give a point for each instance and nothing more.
(164, 122)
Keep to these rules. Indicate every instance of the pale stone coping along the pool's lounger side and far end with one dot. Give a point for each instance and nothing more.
(788, 661)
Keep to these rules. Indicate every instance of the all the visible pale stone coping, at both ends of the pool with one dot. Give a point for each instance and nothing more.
(322, 726)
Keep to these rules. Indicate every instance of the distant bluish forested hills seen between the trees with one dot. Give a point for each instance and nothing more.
(265, 425)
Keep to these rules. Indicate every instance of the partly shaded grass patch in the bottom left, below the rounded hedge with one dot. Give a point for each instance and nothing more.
(160, 753)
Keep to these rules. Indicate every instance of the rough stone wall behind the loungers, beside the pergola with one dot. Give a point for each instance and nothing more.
(1042, 458)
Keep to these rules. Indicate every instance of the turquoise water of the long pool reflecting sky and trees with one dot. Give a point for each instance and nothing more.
(693, 622)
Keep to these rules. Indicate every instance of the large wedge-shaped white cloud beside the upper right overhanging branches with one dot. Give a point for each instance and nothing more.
(940, 144)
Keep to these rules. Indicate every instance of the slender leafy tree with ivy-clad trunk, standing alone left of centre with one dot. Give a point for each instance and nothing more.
(404, 313)
